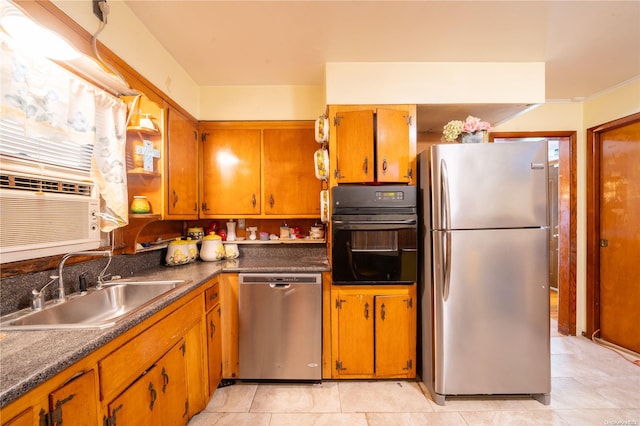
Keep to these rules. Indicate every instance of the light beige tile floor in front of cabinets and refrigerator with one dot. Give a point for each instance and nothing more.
(591, 385)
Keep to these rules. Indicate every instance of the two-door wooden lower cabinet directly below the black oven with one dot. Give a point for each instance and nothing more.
(374, 331)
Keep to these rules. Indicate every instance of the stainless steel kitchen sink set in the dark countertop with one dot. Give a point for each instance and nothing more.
(96, 309)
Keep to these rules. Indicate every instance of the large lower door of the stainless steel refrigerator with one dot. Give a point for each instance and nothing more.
(491, 312)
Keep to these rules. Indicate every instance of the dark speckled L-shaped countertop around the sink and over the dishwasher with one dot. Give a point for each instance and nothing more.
(29, 358)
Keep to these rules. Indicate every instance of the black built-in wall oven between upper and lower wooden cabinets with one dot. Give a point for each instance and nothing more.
(374, 234)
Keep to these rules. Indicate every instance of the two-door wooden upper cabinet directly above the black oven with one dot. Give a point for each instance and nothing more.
(373, 144)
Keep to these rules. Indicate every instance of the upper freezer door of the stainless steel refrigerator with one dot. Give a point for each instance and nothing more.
(489, 185)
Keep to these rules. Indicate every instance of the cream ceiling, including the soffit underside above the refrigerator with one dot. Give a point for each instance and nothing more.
(588, 46)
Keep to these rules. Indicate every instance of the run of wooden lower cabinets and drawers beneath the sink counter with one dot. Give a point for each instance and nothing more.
(162, 371)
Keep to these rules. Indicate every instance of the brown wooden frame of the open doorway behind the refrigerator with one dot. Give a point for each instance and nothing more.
(567, 225)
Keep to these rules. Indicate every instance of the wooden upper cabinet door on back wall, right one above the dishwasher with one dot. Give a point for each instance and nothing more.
(291, 186)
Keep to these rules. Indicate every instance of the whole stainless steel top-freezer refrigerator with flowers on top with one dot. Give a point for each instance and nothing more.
(485, 270)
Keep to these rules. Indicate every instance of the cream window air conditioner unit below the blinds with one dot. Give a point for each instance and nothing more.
(45, 215)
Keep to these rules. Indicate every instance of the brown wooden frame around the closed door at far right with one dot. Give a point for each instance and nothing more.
(594, 143)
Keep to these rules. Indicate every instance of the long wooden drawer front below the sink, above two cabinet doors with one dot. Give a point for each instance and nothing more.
(123, 365)
